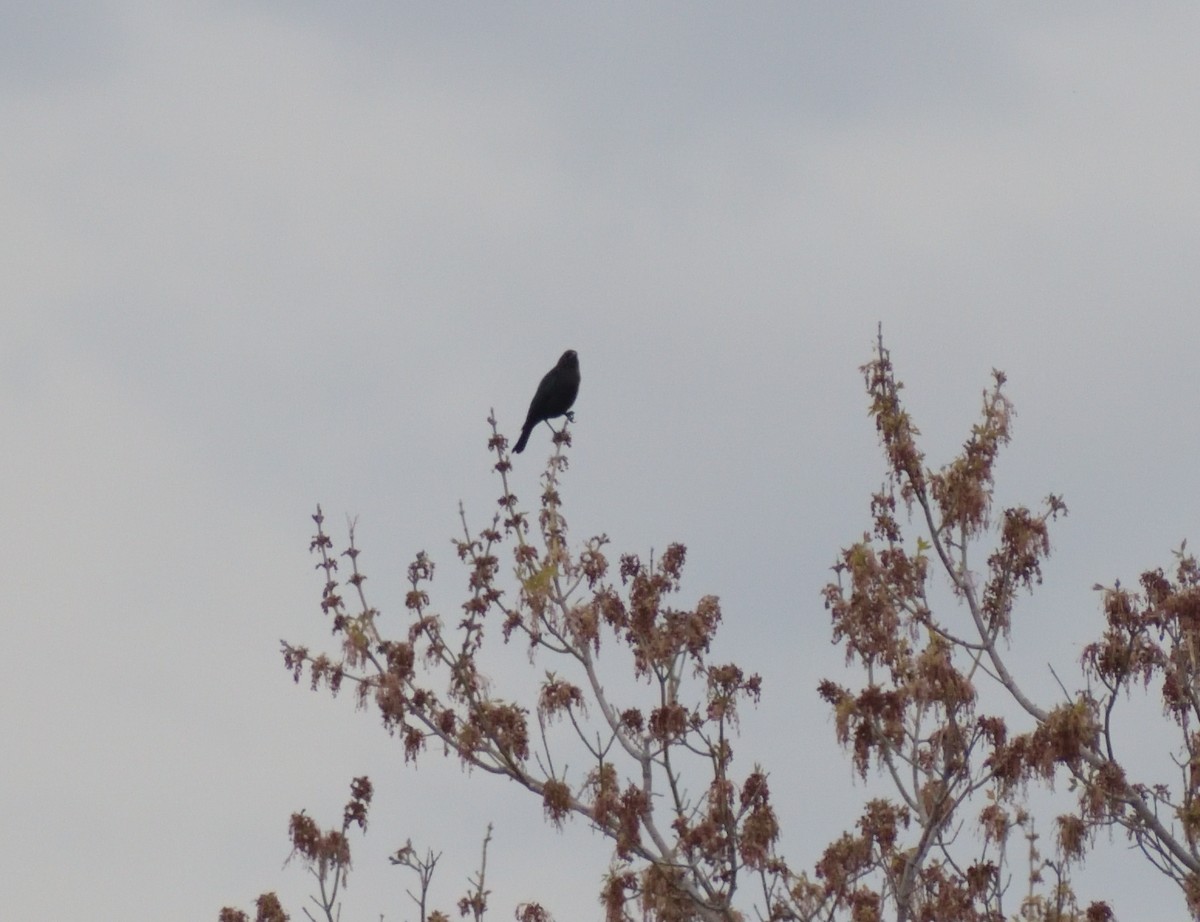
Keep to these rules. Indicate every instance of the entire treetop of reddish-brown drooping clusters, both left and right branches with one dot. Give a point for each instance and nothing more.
(632, 693)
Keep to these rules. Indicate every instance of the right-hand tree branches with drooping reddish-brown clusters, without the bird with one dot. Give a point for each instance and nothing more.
(917, 717)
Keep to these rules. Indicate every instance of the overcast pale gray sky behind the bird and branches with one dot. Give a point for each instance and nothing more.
(263, 255)
